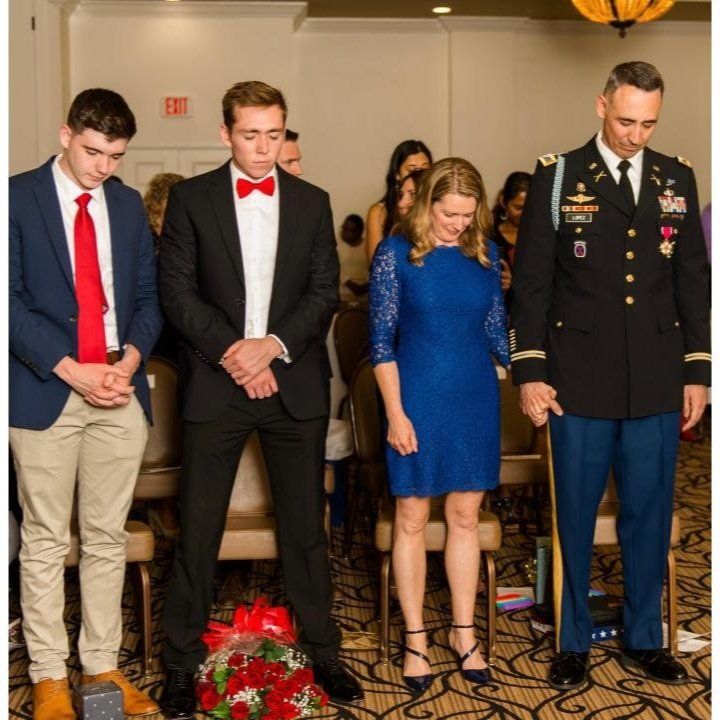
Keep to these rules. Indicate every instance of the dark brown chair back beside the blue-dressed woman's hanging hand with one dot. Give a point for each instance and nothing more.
(366, 414)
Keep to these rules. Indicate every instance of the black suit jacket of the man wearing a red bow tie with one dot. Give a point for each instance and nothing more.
(202, 290)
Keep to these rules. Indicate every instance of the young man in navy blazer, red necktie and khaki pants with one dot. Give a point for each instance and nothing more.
(84, 316)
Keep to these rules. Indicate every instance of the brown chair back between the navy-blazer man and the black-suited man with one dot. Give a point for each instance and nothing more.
(164, 445)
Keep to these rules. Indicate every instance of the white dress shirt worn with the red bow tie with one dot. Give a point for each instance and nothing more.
(258, 220)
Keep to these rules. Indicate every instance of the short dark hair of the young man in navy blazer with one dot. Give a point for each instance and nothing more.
(104, 111)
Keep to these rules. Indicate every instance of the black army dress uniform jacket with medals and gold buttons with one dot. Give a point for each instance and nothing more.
(611, 306)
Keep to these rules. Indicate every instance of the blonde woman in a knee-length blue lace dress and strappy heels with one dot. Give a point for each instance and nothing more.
(436, 318)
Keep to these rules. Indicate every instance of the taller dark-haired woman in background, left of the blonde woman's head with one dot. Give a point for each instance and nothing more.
(409, 155)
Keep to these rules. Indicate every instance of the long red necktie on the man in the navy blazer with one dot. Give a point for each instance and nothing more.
(88, 287)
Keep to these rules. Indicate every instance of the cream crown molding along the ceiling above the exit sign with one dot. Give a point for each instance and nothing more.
(297, 11)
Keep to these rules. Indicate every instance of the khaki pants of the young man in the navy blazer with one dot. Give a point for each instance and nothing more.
(99, 450)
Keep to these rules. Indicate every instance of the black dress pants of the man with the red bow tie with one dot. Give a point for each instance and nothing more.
(294, 454)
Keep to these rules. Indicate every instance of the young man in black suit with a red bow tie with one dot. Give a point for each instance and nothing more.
(249, 278)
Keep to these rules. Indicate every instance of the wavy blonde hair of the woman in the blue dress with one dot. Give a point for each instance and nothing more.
(457, 176)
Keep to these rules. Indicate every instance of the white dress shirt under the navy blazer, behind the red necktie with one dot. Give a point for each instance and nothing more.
(67, 191)
